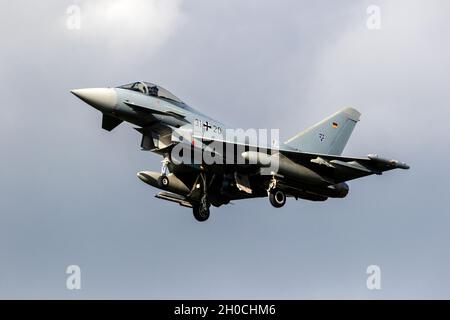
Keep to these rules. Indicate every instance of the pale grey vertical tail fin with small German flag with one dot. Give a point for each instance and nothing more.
(329, 136)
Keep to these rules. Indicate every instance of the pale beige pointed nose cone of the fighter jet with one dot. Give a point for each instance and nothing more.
(103, 99)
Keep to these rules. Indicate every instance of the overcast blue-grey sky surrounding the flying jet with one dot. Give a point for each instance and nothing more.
(69, 192)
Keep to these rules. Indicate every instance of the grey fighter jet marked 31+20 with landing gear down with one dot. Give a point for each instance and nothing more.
(308, 166)
